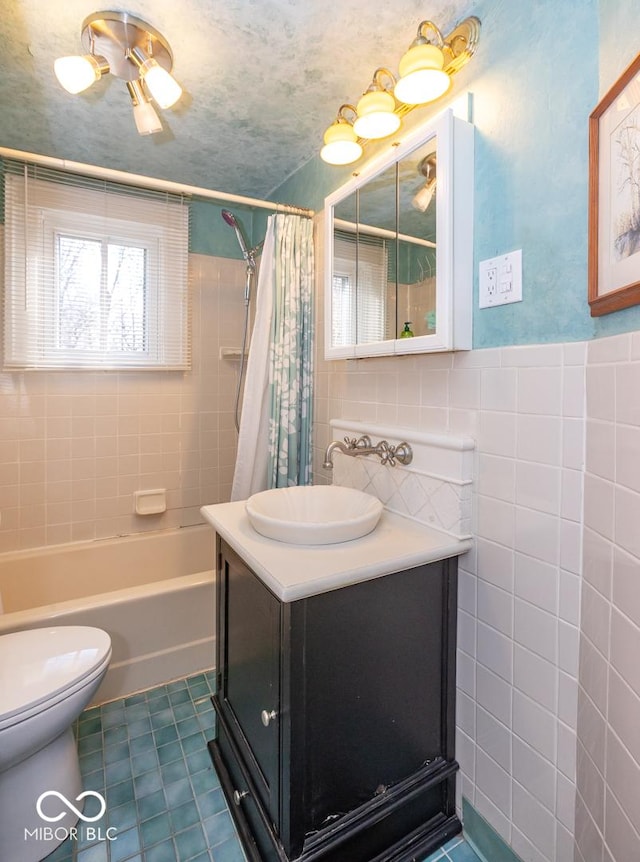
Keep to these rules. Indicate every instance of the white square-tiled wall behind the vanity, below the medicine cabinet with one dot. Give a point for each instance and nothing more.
(520, 590)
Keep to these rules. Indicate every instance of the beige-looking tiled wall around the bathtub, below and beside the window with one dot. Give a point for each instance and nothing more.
(74, 446)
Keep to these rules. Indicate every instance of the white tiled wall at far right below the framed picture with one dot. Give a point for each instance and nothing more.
(608, 752)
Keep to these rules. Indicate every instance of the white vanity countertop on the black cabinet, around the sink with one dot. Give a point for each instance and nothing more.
(295, 572)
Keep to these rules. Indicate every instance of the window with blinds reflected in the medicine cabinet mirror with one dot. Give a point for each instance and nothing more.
(359, 289)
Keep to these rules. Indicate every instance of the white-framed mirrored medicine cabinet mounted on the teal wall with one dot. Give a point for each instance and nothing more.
(399, 248)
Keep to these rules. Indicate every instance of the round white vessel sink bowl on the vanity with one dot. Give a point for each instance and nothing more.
(313, 514)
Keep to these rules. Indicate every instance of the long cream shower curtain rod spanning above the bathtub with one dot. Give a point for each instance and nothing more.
(151, 182)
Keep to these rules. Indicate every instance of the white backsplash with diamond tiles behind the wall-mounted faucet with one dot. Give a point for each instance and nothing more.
(435, 489)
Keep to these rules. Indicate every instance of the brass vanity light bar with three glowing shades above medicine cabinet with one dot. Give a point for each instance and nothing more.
(425, 72)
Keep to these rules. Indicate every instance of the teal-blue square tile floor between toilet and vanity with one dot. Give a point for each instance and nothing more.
(147, 756)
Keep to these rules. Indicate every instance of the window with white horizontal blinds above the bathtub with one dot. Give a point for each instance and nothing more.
(95, 273)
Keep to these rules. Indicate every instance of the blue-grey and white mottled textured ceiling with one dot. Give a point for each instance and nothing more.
(262, 80)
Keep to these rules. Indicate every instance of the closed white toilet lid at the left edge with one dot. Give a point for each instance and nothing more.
(36, 665)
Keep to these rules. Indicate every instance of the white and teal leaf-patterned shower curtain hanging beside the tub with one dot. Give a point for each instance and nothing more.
(274, 441)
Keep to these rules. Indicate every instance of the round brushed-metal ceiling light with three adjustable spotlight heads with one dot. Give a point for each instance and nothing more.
(132, 50)
